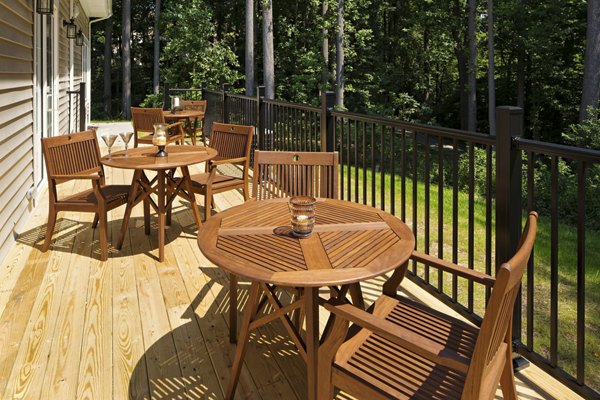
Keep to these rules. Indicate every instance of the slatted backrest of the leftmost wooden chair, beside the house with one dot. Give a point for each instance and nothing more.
(71, 154)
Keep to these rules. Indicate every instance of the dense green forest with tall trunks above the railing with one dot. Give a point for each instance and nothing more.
(421, 61)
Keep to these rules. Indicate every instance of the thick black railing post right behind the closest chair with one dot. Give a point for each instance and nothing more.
(508, 194)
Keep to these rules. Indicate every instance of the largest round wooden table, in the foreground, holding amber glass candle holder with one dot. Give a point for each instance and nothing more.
(350, 243)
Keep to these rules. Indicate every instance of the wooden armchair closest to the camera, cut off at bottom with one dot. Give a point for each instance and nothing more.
(406, 350)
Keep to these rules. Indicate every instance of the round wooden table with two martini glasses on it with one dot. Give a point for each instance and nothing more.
(163, 184)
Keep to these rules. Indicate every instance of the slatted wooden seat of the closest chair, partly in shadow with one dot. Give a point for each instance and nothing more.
(392, 371)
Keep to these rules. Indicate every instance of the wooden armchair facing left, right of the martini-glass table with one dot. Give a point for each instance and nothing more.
(233, 143)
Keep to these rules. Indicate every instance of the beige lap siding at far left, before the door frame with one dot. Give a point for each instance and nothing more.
(16, 116)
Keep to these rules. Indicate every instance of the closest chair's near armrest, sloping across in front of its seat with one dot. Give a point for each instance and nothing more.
(422, 346)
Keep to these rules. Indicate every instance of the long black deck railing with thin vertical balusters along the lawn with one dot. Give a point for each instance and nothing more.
(465, 195)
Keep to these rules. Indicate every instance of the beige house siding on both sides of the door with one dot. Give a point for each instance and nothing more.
(18, 133)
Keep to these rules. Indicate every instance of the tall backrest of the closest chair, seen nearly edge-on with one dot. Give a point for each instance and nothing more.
(496, 327)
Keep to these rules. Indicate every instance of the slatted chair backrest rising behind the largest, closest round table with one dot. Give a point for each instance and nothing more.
(286, 174)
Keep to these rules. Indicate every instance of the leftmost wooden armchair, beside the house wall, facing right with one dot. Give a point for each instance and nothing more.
(77, 156)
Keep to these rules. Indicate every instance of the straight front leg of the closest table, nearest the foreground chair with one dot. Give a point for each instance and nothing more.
(311, 309)
